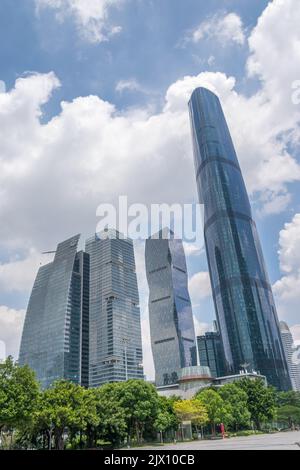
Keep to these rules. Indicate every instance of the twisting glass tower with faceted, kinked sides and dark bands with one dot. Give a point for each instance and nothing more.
(170, 312)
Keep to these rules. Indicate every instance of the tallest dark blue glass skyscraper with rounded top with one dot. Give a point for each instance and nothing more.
(244, 304)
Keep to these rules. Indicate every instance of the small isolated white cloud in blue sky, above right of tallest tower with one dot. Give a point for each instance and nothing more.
(225, 28)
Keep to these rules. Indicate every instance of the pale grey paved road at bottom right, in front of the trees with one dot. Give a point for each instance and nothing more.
(278, 441)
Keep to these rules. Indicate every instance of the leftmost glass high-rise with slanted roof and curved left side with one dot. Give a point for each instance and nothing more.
(55, 334)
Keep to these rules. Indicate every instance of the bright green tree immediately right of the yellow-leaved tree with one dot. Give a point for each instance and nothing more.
(217, 409)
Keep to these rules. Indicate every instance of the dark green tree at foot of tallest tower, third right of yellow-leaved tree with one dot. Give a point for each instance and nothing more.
(261, 400)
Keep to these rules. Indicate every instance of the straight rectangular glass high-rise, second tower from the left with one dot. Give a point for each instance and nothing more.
(115, 324)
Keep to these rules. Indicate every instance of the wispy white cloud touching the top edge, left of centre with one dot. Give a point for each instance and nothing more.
(91, 16)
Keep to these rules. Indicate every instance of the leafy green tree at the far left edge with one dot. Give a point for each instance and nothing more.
(18, 395)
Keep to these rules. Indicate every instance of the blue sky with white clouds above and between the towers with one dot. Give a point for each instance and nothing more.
(93, 105)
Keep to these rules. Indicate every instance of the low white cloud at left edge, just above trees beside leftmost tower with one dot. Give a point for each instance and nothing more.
(11, 324)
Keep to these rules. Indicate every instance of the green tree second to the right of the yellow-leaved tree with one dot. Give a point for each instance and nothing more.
(236, 400)
